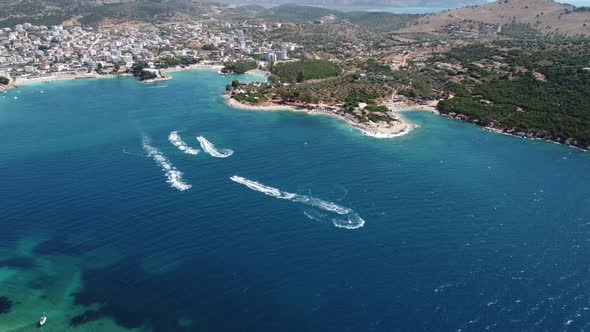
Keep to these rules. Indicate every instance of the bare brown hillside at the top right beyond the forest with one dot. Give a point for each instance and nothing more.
(545, 17)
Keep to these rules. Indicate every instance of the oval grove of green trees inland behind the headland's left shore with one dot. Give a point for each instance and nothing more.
(305, 70)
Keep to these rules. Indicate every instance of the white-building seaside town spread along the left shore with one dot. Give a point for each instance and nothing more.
(29, 52)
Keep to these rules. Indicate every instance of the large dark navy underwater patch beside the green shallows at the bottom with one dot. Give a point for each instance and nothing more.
(133, 298)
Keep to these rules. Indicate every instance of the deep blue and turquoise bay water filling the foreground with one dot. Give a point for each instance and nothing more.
(463, 229)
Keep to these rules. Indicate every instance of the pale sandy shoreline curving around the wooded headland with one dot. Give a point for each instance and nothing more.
(378, 130)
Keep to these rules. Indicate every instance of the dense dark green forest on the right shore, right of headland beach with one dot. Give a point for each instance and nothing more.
(542, 94)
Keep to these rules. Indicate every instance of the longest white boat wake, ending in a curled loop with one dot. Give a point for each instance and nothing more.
(351, 219)
